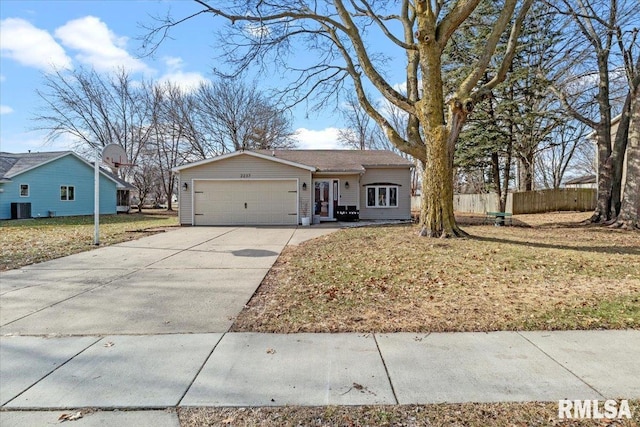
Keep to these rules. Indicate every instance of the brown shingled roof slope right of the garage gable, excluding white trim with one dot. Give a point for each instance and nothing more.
(340, 160)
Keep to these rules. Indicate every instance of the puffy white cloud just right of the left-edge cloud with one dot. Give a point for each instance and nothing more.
(97, 45)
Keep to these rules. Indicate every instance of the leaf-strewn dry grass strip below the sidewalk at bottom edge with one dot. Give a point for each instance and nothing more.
(466, 414)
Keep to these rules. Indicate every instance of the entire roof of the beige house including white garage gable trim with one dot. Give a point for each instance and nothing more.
(320, 160)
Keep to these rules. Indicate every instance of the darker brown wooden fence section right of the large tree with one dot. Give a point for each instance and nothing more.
(563, 199)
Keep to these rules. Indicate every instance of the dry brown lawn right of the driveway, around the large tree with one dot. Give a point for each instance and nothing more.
(550, 274)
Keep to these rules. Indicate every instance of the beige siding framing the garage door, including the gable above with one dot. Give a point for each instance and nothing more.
(242, 167)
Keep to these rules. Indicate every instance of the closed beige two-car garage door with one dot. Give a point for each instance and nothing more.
(245, 202)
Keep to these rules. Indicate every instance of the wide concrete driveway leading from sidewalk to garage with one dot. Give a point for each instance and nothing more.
(188, 280)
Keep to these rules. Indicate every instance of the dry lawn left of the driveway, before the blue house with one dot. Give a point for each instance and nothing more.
(24, 242)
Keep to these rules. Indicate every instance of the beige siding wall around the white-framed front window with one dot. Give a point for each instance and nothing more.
(401, 177)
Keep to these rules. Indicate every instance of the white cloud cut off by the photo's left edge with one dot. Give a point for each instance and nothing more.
(31, 46)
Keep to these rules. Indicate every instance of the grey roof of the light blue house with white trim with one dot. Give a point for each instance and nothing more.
(14, 164)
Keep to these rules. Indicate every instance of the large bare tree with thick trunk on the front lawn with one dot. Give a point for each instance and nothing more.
(336, 32)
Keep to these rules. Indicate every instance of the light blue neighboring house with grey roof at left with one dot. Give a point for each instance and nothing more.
(59, 183)
